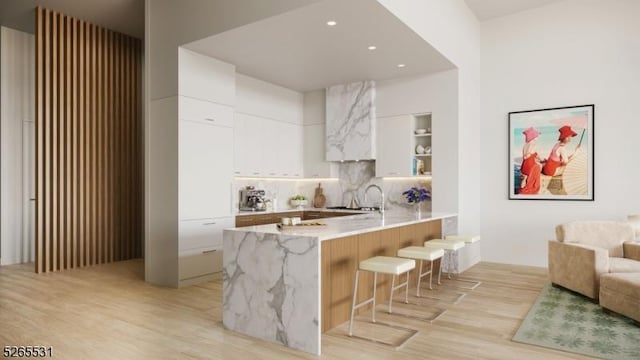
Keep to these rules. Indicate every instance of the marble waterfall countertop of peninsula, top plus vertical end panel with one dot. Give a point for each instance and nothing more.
(272, 278)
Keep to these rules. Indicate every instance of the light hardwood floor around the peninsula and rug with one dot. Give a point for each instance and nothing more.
(108, 312)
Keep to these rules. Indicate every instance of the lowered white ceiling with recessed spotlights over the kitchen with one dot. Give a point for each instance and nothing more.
(299, 51)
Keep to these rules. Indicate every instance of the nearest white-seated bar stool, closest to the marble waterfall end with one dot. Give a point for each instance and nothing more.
(387, 265)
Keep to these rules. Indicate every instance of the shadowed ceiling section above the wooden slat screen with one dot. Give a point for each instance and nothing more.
(125, 16)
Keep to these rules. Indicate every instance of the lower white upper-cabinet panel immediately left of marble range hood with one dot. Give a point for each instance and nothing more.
(314, 162)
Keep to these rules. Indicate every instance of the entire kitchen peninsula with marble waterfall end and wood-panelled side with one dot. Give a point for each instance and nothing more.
(289, 286)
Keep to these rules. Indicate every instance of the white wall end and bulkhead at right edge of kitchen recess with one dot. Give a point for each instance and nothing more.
(452, 29)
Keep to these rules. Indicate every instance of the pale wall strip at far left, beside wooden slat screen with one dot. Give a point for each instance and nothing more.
(17, 58)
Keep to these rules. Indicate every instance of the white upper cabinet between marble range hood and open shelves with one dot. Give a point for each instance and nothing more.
(394, 146)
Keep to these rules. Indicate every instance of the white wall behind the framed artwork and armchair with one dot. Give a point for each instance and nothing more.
(571, 53)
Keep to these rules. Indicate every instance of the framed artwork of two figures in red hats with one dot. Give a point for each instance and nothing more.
(551, 154)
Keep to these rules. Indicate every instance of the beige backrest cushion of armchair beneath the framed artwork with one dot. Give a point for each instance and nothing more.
(609, 235)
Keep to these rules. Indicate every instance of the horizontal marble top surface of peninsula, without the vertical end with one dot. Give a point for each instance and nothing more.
(364, 222)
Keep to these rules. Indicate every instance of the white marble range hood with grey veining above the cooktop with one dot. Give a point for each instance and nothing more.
(351, 122)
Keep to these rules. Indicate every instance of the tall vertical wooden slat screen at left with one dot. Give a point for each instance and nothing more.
(88, 144)
